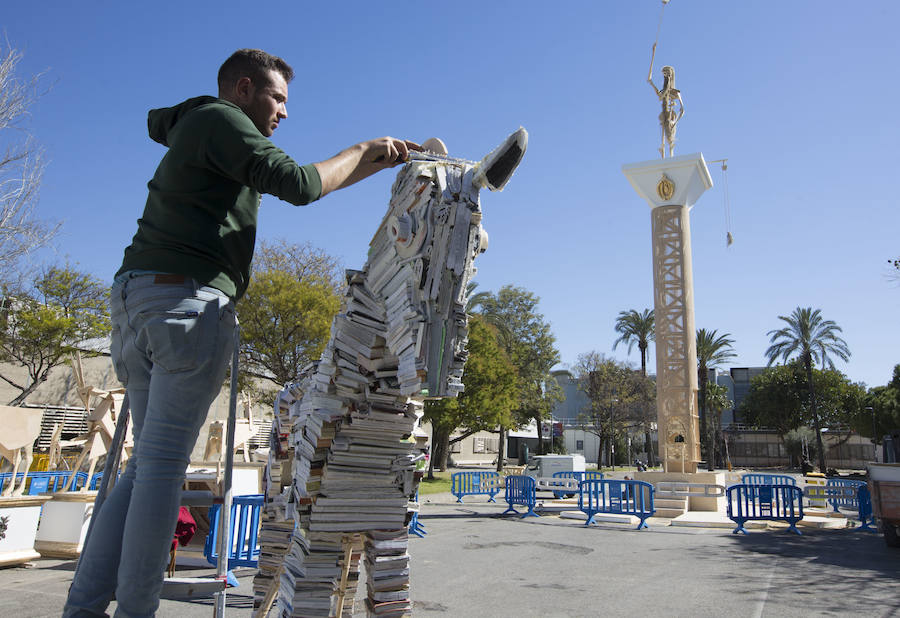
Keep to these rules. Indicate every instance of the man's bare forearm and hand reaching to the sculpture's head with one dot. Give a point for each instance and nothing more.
(361, 161)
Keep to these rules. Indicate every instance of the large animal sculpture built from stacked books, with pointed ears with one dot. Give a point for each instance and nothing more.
(399, 339)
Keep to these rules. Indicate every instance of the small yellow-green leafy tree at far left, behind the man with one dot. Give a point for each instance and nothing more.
(42, 327)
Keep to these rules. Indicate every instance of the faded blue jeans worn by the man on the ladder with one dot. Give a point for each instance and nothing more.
(171, 342)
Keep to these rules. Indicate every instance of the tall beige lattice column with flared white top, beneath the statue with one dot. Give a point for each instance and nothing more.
(671, 186)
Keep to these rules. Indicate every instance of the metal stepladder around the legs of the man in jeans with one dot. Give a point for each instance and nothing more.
(188, 587)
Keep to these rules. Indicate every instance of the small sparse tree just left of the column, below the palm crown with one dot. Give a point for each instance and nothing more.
(617, 396)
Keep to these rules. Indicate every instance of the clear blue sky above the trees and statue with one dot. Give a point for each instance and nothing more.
(800, 97)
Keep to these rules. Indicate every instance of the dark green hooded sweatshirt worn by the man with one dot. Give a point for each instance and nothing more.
(200, 216)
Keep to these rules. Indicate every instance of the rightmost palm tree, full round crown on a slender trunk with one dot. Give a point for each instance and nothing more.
(812, 339)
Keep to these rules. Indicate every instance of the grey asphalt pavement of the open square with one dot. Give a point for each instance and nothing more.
(475, 562)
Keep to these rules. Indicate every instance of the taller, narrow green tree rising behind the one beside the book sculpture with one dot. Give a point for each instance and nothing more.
(530, 345)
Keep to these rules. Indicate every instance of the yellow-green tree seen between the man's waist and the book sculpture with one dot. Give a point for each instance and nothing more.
(286, 313)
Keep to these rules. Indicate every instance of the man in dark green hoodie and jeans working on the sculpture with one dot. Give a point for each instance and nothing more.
(172, 304)
